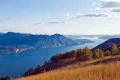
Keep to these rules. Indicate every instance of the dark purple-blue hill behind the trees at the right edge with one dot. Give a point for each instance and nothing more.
(107, 44)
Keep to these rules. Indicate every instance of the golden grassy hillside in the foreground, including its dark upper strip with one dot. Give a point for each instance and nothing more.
(90, 70)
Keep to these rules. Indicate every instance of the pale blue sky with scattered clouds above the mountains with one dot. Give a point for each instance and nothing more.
(60, 16)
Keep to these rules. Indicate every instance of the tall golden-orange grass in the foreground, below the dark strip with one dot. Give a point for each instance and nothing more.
(94, 72)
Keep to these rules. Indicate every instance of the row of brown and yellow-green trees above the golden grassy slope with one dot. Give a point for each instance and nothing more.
(86, 54)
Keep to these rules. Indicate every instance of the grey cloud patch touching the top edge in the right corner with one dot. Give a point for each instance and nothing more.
(110, 3)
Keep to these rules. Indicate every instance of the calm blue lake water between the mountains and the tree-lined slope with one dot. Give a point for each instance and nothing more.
(15, 65)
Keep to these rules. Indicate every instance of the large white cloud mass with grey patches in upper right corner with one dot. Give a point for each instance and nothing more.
(107, 7)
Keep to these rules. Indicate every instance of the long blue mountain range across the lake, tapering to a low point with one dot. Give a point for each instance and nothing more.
(16, 42)
